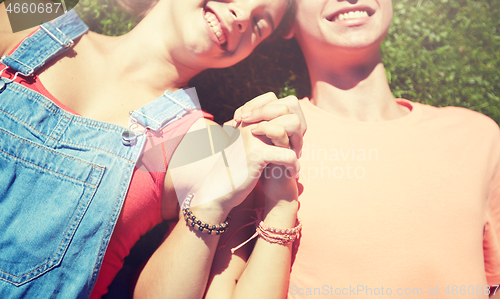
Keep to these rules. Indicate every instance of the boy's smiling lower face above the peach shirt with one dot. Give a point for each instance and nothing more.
(340, 24)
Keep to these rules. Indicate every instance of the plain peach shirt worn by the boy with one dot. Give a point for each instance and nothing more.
(408, 207)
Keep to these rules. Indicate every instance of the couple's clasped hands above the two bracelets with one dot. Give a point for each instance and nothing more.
(270, 129)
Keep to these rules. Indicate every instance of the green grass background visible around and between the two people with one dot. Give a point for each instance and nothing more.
(440, 52)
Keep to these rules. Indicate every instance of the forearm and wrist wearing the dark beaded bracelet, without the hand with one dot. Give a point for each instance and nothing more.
(181, 265)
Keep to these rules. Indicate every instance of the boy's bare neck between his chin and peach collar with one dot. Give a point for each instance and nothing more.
(353, 88)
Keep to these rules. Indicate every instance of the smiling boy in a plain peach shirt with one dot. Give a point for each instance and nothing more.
(397, 198)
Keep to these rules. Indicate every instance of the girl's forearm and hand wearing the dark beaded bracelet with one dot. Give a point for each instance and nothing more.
(180, 267)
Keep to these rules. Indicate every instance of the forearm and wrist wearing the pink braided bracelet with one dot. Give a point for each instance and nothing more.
(268, 269)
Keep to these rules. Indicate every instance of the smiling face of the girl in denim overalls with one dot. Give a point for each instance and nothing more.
(217, 34)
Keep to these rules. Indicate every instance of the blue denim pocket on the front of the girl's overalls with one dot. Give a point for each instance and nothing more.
(43, 197)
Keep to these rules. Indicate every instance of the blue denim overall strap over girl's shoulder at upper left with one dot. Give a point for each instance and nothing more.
(51, 39)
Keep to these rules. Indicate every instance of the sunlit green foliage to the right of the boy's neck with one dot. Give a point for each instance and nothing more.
(446, 53)
